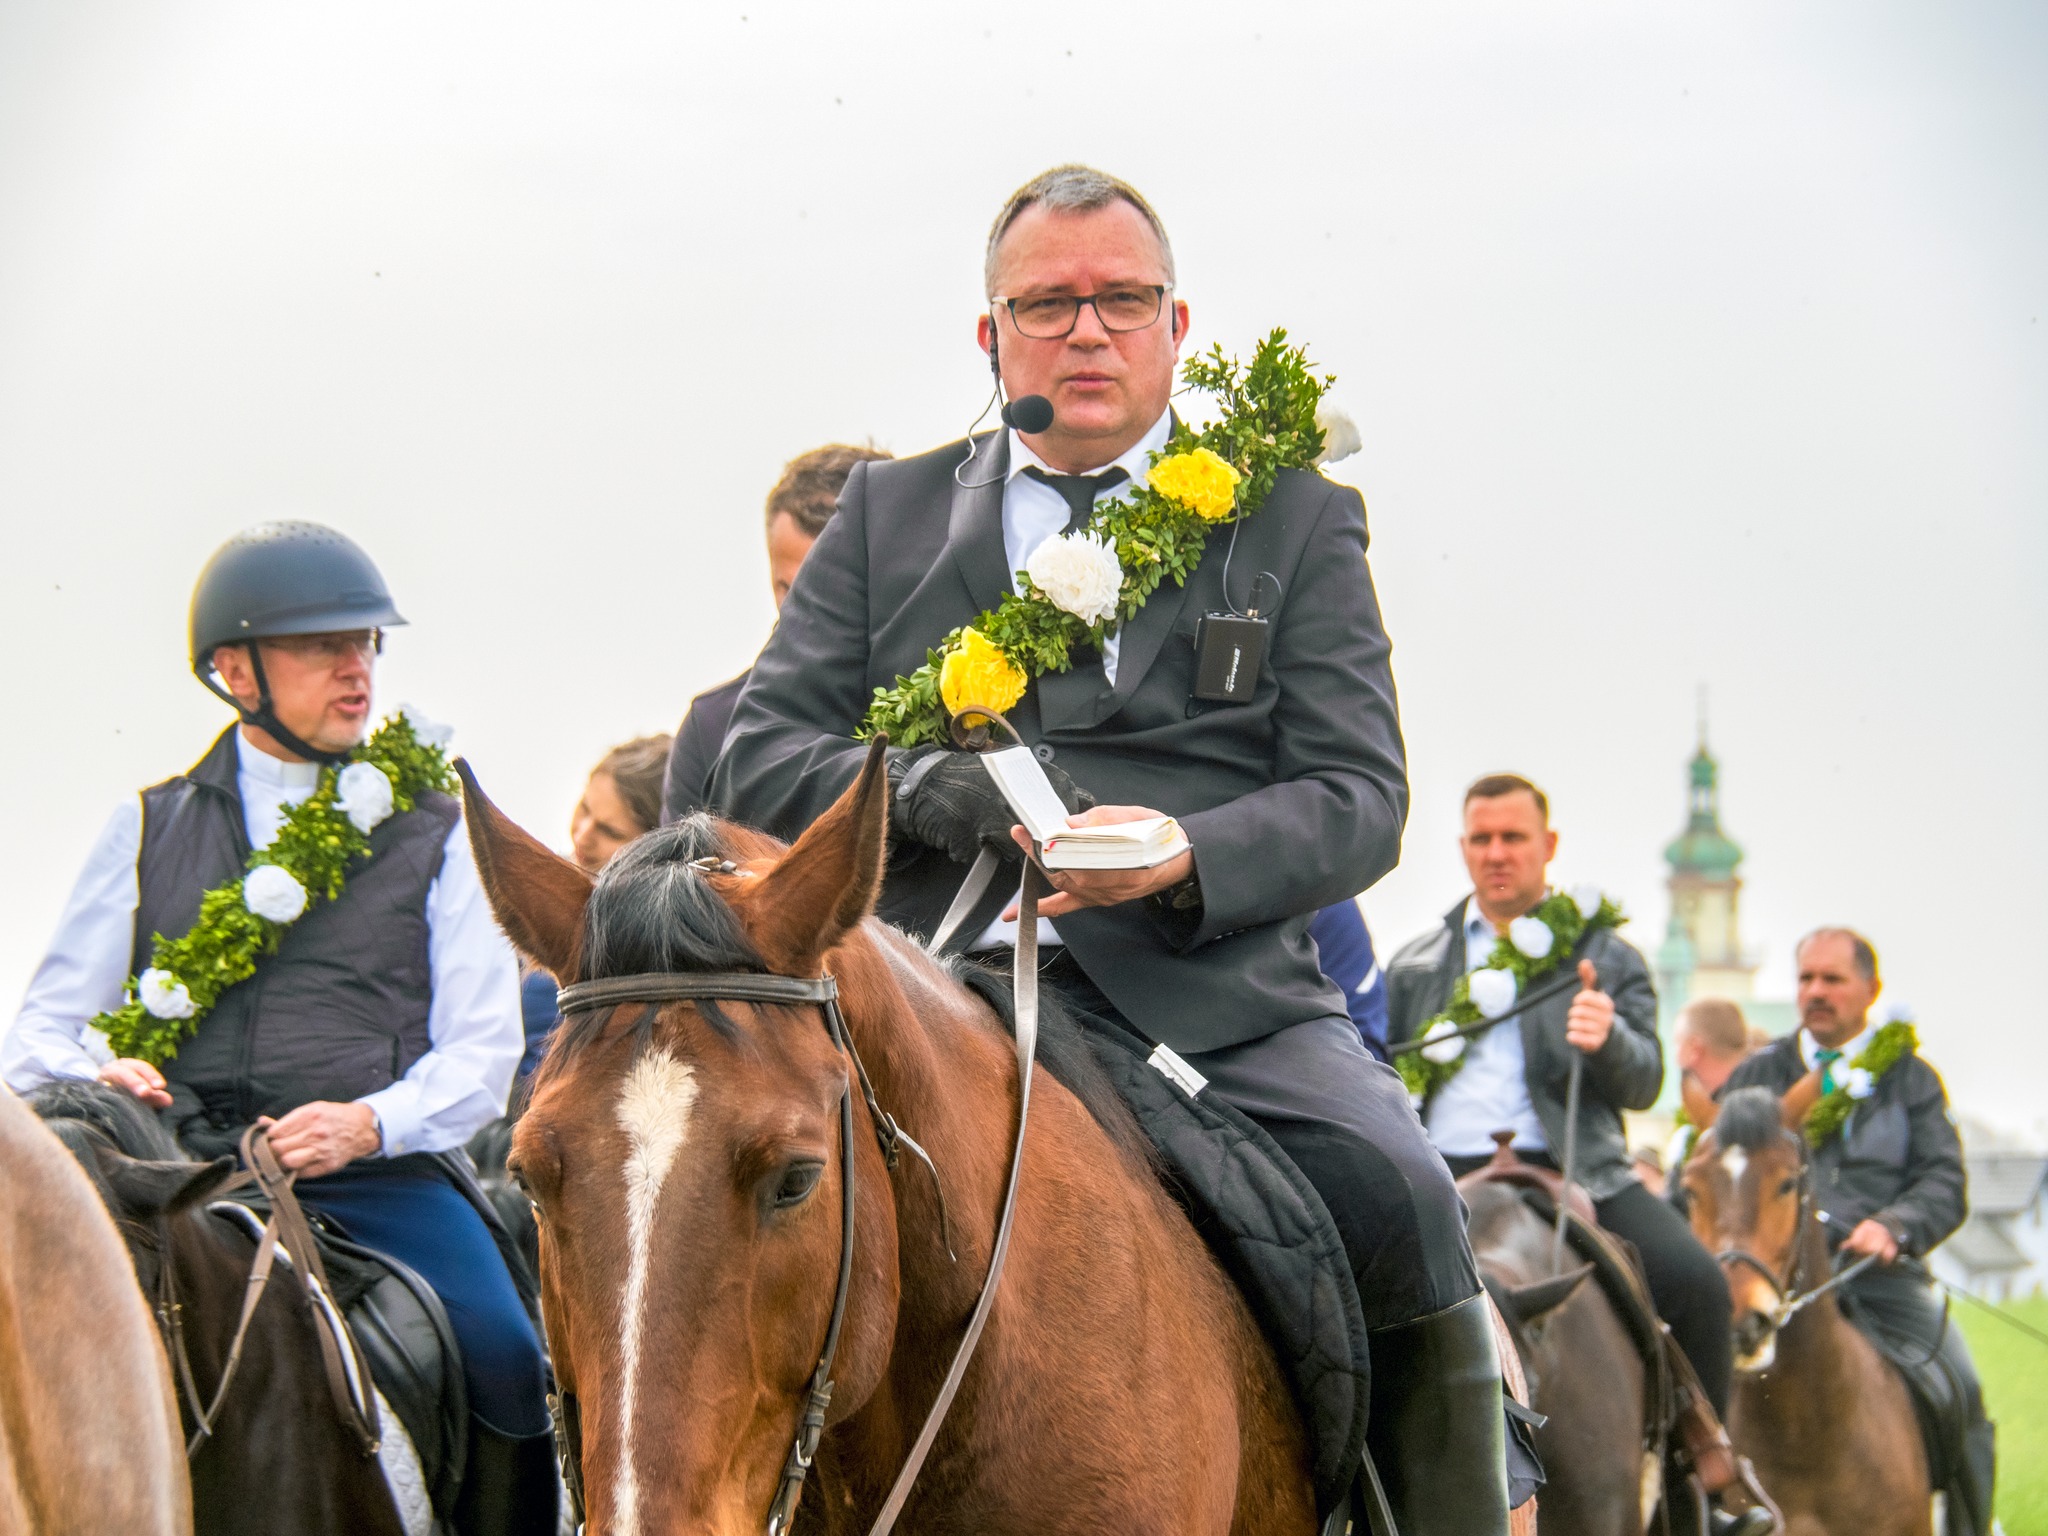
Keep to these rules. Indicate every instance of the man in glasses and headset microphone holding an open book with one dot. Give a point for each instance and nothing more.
(1291, 802)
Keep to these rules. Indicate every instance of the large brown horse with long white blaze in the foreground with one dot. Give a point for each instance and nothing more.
(685, 1164)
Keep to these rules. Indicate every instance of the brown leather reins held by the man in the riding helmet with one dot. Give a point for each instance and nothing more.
(290, 1236)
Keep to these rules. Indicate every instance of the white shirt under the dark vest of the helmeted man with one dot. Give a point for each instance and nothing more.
(474, 1021)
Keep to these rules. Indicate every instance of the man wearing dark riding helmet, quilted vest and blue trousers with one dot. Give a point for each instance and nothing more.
(386, 1027)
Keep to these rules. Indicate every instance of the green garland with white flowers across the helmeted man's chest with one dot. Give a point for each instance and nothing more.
(321, 839)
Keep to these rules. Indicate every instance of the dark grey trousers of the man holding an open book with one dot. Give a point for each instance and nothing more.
(1349, 1125)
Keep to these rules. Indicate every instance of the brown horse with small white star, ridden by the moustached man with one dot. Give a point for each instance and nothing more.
(1820, 1412)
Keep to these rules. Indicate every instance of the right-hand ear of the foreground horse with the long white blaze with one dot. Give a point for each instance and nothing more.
(828, 882)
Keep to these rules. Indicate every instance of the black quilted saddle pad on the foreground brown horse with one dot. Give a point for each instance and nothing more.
(1275, 1238)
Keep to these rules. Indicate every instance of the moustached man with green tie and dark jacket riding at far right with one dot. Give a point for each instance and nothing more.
(1893, 1187)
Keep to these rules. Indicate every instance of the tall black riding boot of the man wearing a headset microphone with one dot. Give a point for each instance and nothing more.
(1439, 1431)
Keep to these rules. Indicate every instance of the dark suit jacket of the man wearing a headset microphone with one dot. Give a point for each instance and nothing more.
(1293, 800)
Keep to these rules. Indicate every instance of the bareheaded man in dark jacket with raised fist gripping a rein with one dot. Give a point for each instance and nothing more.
(1517, 1076)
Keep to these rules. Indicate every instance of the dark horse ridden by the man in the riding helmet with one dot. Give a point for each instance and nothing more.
(280, 1457)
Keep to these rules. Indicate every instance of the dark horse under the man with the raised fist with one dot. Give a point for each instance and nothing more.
(1584, 1371)
